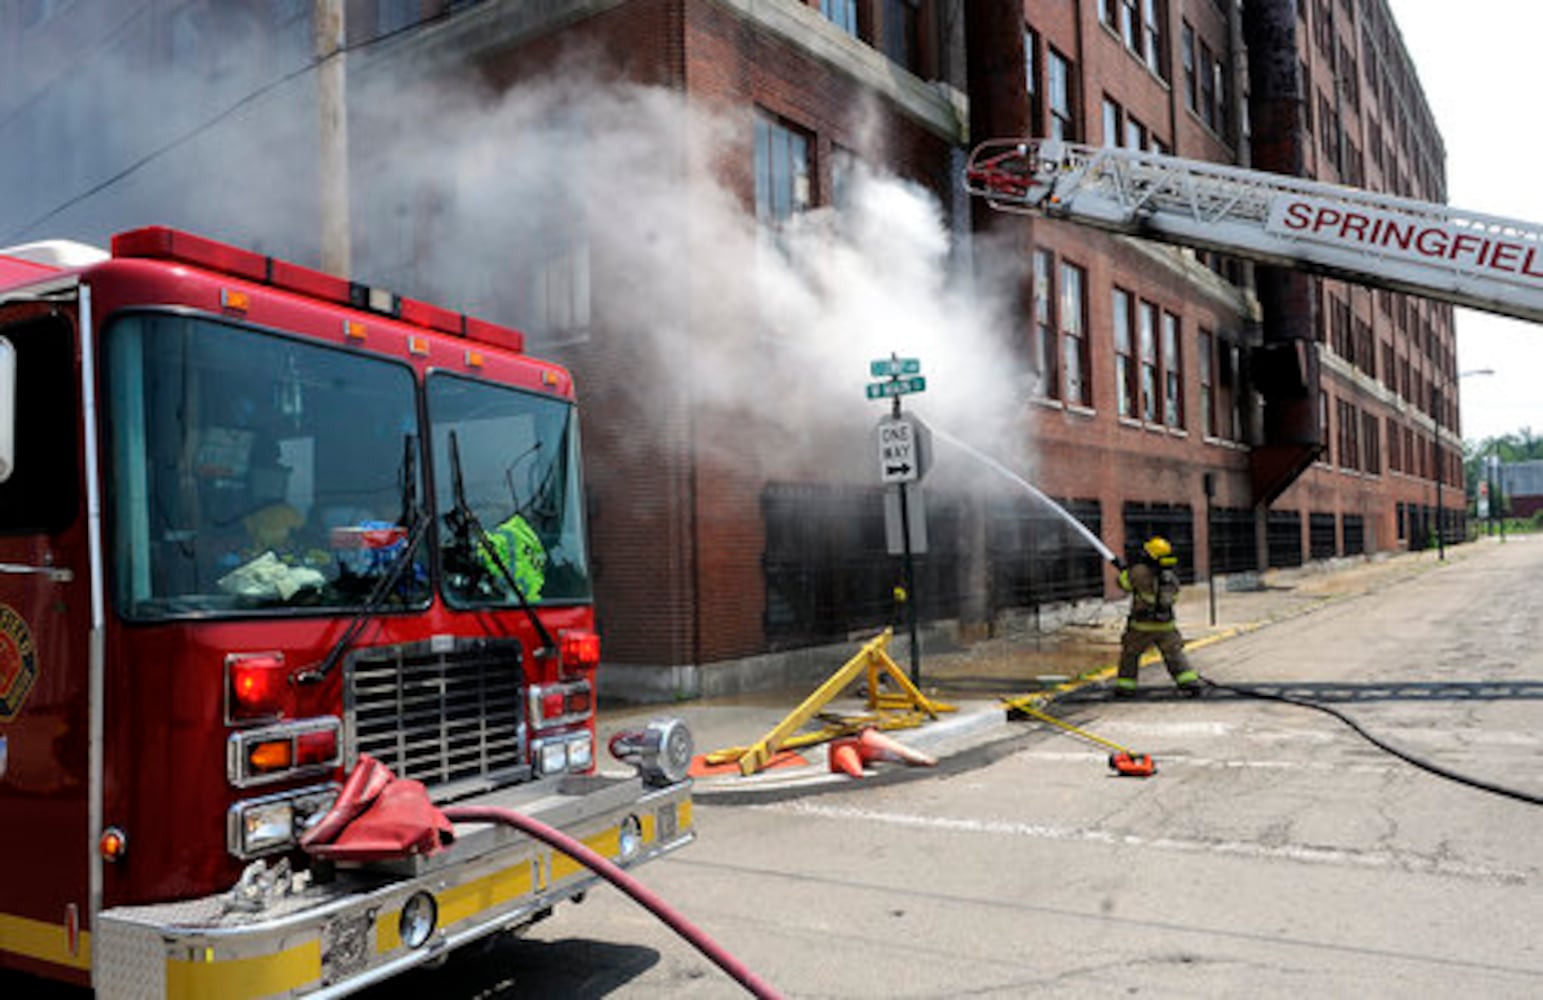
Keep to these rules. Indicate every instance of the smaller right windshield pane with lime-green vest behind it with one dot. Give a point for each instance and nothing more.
(518, 473)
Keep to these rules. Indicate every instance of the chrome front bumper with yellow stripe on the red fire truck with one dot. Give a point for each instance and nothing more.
(342, 936)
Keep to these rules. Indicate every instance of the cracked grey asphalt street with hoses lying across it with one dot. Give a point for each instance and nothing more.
(1275, 854)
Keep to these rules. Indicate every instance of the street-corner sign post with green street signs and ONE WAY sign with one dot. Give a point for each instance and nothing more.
(905, 448)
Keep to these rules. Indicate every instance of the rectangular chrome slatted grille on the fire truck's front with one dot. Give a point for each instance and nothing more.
(445, 714)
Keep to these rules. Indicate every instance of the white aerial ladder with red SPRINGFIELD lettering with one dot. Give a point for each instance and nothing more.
(1382, 242)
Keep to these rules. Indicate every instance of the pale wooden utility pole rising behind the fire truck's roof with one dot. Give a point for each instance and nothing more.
(328, 22)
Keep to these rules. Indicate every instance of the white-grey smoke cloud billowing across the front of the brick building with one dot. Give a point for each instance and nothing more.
(465, 197)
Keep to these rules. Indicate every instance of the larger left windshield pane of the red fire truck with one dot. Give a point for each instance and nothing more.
(255, 473)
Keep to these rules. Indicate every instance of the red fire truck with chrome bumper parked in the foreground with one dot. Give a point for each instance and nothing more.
(258, 524)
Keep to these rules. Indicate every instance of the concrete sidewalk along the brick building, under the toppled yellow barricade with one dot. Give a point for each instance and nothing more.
(1075, 655)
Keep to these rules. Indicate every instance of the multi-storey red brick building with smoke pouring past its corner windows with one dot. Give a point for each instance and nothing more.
(620, 178)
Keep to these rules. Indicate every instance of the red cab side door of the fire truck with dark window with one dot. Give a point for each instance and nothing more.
(46, 621)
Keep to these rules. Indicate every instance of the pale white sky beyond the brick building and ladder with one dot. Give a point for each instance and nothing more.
(1477, 62)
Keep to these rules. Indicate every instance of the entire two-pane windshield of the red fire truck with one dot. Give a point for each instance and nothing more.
(265, 475)
